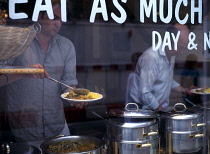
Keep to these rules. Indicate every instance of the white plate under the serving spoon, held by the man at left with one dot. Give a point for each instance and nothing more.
(99, 96)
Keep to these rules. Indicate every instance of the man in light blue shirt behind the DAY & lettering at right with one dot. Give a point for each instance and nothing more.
(153, 79)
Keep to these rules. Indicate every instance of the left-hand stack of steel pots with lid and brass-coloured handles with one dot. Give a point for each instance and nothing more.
(132, 131)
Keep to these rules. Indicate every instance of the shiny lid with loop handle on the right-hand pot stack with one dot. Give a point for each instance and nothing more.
(180, 112)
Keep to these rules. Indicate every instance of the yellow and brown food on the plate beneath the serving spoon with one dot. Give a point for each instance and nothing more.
(89, 96)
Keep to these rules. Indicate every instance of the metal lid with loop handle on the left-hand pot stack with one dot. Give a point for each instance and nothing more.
(132, 111)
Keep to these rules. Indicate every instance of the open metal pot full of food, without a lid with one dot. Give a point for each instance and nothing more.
(73, 145)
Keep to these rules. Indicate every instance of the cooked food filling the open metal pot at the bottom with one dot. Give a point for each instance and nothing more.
(71, 146)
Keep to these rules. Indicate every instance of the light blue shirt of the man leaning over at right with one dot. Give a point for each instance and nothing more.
(153, 79)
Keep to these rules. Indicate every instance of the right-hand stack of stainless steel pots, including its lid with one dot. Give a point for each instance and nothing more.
(182, 130)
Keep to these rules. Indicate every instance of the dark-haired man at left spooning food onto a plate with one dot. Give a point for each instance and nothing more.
(34, 104)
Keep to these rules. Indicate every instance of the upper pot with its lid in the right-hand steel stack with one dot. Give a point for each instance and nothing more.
(181, 119)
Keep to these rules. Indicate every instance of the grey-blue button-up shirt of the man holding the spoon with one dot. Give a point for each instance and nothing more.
(34, 105)
